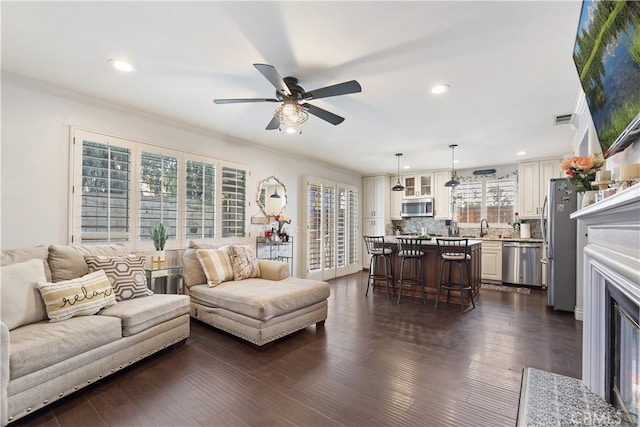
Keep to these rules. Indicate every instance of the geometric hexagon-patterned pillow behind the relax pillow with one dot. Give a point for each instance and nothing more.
(126, 274)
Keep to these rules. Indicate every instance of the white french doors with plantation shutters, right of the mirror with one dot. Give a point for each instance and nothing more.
(331, 229)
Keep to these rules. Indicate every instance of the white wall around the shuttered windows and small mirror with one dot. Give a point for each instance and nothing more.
(35, 159)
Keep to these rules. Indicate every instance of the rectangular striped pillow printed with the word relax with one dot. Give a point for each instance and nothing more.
(83, 296)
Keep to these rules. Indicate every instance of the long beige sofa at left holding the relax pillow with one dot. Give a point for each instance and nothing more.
(42, 360)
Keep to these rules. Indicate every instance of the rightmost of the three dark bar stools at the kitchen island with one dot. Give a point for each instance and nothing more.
(455, 251)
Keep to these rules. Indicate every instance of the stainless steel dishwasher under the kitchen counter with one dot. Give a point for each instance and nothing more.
(521, 263)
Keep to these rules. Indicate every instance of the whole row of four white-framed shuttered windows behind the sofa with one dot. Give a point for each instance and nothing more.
(121, 189)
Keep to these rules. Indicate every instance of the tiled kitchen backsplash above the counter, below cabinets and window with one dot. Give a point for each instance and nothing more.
(439, 227)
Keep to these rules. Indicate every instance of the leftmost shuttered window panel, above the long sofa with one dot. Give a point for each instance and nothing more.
(104, 192)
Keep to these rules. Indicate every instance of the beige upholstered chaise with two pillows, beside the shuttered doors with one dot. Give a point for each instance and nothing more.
(258, 309)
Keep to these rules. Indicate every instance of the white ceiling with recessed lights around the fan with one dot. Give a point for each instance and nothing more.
(508, 64)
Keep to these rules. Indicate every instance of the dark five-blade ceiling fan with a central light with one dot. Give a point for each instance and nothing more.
(291, 112)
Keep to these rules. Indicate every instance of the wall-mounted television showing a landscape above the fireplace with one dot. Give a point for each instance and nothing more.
(607, 56)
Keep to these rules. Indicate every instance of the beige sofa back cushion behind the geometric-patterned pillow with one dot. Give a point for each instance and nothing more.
(67, 262)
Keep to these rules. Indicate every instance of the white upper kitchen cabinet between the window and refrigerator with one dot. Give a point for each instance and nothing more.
(533, 184)
